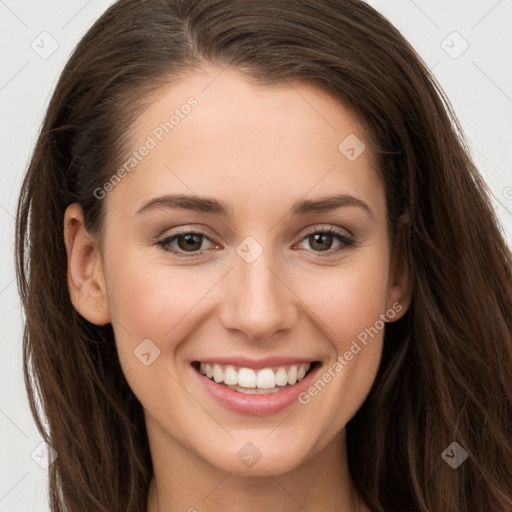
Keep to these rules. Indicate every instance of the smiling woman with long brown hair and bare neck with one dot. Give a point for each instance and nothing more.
(260, 270)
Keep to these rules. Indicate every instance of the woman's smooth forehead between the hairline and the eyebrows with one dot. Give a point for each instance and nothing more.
(214, 133)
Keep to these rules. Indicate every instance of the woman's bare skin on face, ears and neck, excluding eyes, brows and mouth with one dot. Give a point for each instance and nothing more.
(258, 149)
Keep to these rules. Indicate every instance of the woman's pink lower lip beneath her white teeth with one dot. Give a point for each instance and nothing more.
(255, 405)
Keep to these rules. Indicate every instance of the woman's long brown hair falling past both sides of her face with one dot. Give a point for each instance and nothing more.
(446, 370)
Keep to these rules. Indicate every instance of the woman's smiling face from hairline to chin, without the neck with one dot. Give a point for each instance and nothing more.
(249, 241)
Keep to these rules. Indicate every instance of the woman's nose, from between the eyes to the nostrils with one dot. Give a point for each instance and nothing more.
(257, 300)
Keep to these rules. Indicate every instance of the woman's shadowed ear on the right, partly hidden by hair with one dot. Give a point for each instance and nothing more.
(400, 280)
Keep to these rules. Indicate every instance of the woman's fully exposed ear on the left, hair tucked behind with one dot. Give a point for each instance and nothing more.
(86, 282)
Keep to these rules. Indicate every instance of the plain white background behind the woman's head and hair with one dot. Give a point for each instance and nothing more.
(478, 83)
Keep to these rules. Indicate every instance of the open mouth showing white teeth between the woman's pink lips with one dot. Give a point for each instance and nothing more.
(255, 382)
